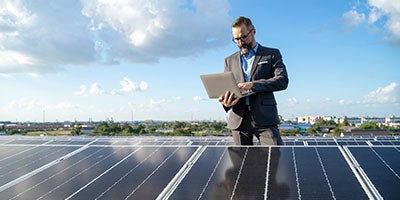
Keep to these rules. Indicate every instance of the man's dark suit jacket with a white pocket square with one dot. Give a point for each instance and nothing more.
(268, 75)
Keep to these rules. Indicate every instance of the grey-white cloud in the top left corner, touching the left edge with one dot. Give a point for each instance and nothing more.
(41, 37)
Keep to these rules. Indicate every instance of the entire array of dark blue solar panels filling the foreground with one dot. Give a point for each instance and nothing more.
(198, 168)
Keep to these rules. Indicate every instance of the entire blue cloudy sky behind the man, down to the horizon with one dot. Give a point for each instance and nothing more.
(141, 59)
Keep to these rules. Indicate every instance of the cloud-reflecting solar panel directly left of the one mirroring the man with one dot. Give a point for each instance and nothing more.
(105, 172)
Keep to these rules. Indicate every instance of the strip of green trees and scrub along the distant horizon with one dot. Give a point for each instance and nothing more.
(180, 128)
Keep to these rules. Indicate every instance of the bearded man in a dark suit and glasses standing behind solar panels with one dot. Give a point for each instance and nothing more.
(260, 70)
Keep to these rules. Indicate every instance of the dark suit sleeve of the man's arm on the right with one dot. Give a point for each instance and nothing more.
(279, 78)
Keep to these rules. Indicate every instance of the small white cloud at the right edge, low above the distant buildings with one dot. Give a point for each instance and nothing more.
(389, 94)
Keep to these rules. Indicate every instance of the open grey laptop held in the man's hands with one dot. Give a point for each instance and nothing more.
(217, 84)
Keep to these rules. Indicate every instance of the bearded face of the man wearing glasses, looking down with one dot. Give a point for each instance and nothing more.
(243, 37)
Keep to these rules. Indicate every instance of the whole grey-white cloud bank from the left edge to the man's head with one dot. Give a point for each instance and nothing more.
(45, 37)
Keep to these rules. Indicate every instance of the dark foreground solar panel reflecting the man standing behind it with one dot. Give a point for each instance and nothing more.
(272, 173)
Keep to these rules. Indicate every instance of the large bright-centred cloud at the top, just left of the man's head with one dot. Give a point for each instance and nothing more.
(145, 30)
